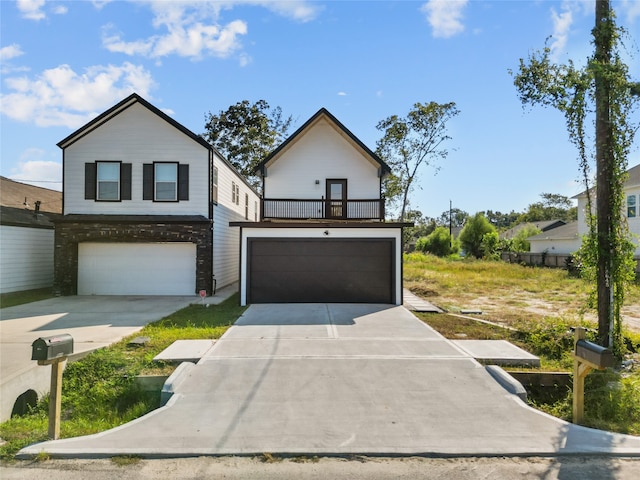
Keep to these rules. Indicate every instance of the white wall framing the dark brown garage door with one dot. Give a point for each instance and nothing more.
(322, 233)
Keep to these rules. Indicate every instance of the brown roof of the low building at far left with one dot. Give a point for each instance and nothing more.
(22, 196)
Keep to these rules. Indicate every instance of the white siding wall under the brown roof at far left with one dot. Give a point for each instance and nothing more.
(26, 258)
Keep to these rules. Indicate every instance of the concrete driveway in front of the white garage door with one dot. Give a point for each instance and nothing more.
(93, 321)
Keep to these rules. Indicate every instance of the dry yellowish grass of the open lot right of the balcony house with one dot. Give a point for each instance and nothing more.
(507, 293)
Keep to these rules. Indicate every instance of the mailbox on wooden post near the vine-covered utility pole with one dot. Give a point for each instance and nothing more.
(586, 357)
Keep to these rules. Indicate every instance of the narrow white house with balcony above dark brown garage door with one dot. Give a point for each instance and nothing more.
(321, 235)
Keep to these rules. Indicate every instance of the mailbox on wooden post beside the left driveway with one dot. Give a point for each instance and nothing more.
(53, 351)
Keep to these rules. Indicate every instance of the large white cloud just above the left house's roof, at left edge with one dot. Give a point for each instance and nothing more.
(62, 97)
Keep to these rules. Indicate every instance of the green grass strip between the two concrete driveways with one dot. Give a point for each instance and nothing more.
(99, 391)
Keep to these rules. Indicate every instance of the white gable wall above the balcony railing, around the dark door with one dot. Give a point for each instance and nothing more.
(321, 153)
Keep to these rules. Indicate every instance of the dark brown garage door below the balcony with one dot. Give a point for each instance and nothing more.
(326, 270)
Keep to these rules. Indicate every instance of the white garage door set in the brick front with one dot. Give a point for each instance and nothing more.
(136, 268)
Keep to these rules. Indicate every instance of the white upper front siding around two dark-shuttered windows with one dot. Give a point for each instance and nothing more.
(136, 136)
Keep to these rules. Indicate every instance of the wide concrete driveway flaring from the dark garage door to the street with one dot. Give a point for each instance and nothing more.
(316, 379)
